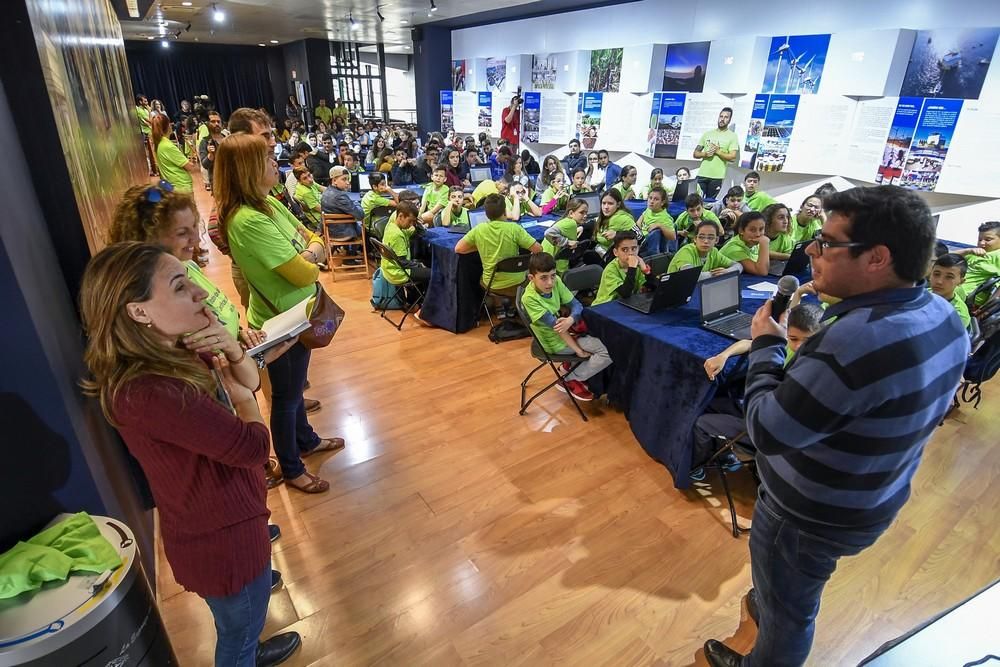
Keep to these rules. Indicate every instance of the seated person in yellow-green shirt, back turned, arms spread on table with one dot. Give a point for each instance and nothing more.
(497, 240)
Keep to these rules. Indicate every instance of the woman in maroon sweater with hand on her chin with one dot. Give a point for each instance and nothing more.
(194, 426)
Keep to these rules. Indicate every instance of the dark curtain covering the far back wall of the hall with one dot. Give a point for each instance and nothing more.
(233, 76)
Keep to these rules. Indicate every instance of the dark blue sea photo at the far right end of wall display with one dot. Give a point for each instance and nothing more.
(950, 63)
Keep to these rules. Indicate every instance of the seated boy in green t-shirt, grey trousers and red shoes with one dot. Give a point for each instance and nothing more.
(544, 297)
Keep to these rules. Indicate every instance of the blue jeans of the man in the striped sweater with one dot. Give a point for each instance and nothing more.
(790, 568)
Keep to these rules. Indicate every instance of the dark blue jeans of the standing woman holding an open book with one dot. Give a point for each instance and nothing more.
(290, 430)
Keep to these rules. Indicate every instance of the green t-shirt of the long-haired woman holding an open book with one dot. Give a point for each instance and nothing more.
(260, 243)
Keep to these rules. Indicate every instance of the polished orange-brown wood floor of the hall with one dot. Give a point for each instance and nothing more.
(456, 532)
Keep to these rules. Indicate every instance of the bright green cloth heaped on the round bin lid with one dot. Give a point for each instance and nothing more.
(73, 545)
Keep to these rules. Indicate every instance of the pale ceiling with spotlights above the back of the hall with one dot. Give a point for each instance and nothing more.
(261, 21)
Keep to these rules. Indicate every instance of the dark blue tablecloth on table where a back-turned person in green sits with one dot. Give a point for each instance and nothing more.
(454, 294)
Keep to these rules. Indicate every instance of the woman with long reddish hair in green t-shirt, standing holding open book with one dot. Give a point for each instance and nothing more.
(279, 258)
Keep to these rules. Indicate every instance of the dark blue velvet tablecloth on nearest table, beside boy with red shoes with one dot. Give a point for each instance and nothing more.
(658, 376)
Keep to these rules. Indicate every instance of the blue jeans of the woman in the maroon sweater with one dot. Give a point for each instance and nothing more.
(239, 620)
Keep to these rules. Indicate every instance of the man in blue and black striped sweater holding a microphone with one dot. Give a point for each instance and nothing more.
(840, 431)
